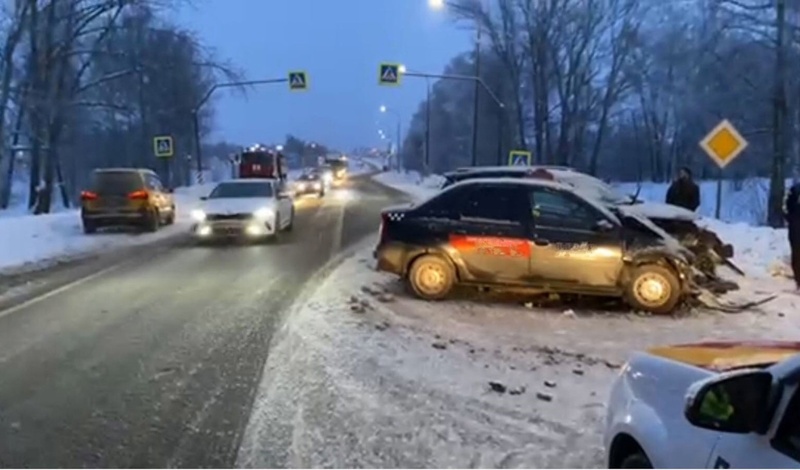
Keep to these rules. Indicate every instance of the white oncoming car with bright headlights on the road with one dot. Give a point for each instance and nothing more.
(247, 208)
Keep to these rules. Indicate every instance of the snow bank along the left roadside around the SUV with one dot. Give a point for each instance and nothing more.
(33, 239)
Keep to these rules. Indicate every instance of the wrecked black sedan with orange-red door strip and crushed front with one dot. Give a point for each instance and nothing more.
(536, 235)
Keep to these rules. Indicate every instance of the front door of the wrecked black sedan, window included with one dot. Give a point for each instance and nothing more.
(573, 242)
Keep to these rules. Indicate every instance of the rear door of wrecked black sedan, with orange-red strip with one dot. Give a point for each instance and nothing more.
(490, 234)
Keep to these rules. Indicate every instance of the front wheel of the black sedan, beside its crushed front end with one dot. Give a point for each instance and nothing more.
(653, 288)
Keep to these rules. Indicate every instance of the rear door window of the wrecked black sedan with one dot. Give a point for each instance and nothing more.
(493, 204)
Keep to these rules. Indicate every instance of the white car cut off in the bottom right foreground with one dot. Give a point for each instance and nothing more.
(707, 405)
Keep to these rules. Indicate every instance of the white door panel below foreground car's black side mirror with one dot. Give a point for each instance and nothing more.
(756, 451)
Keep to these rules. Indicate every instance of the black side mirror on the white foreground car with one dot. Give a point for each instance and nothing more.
(736, 402)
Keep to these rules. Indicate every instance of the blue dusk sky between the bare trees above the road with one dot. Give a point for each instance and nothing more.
(340, 44)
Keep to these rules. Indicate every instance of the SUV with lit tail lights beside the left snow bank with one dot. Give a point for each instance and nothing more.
(126, 197)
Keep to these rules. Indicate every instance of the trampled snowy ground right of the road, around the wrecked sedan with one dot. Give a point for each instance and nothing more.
(364, 375)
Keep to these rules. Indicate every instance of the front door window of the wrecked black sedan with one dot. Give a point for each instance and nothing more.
(553, 208)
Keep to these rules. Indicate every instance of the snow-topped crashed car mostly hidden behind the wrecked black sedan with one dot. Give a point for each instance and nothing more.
(709, 249)
